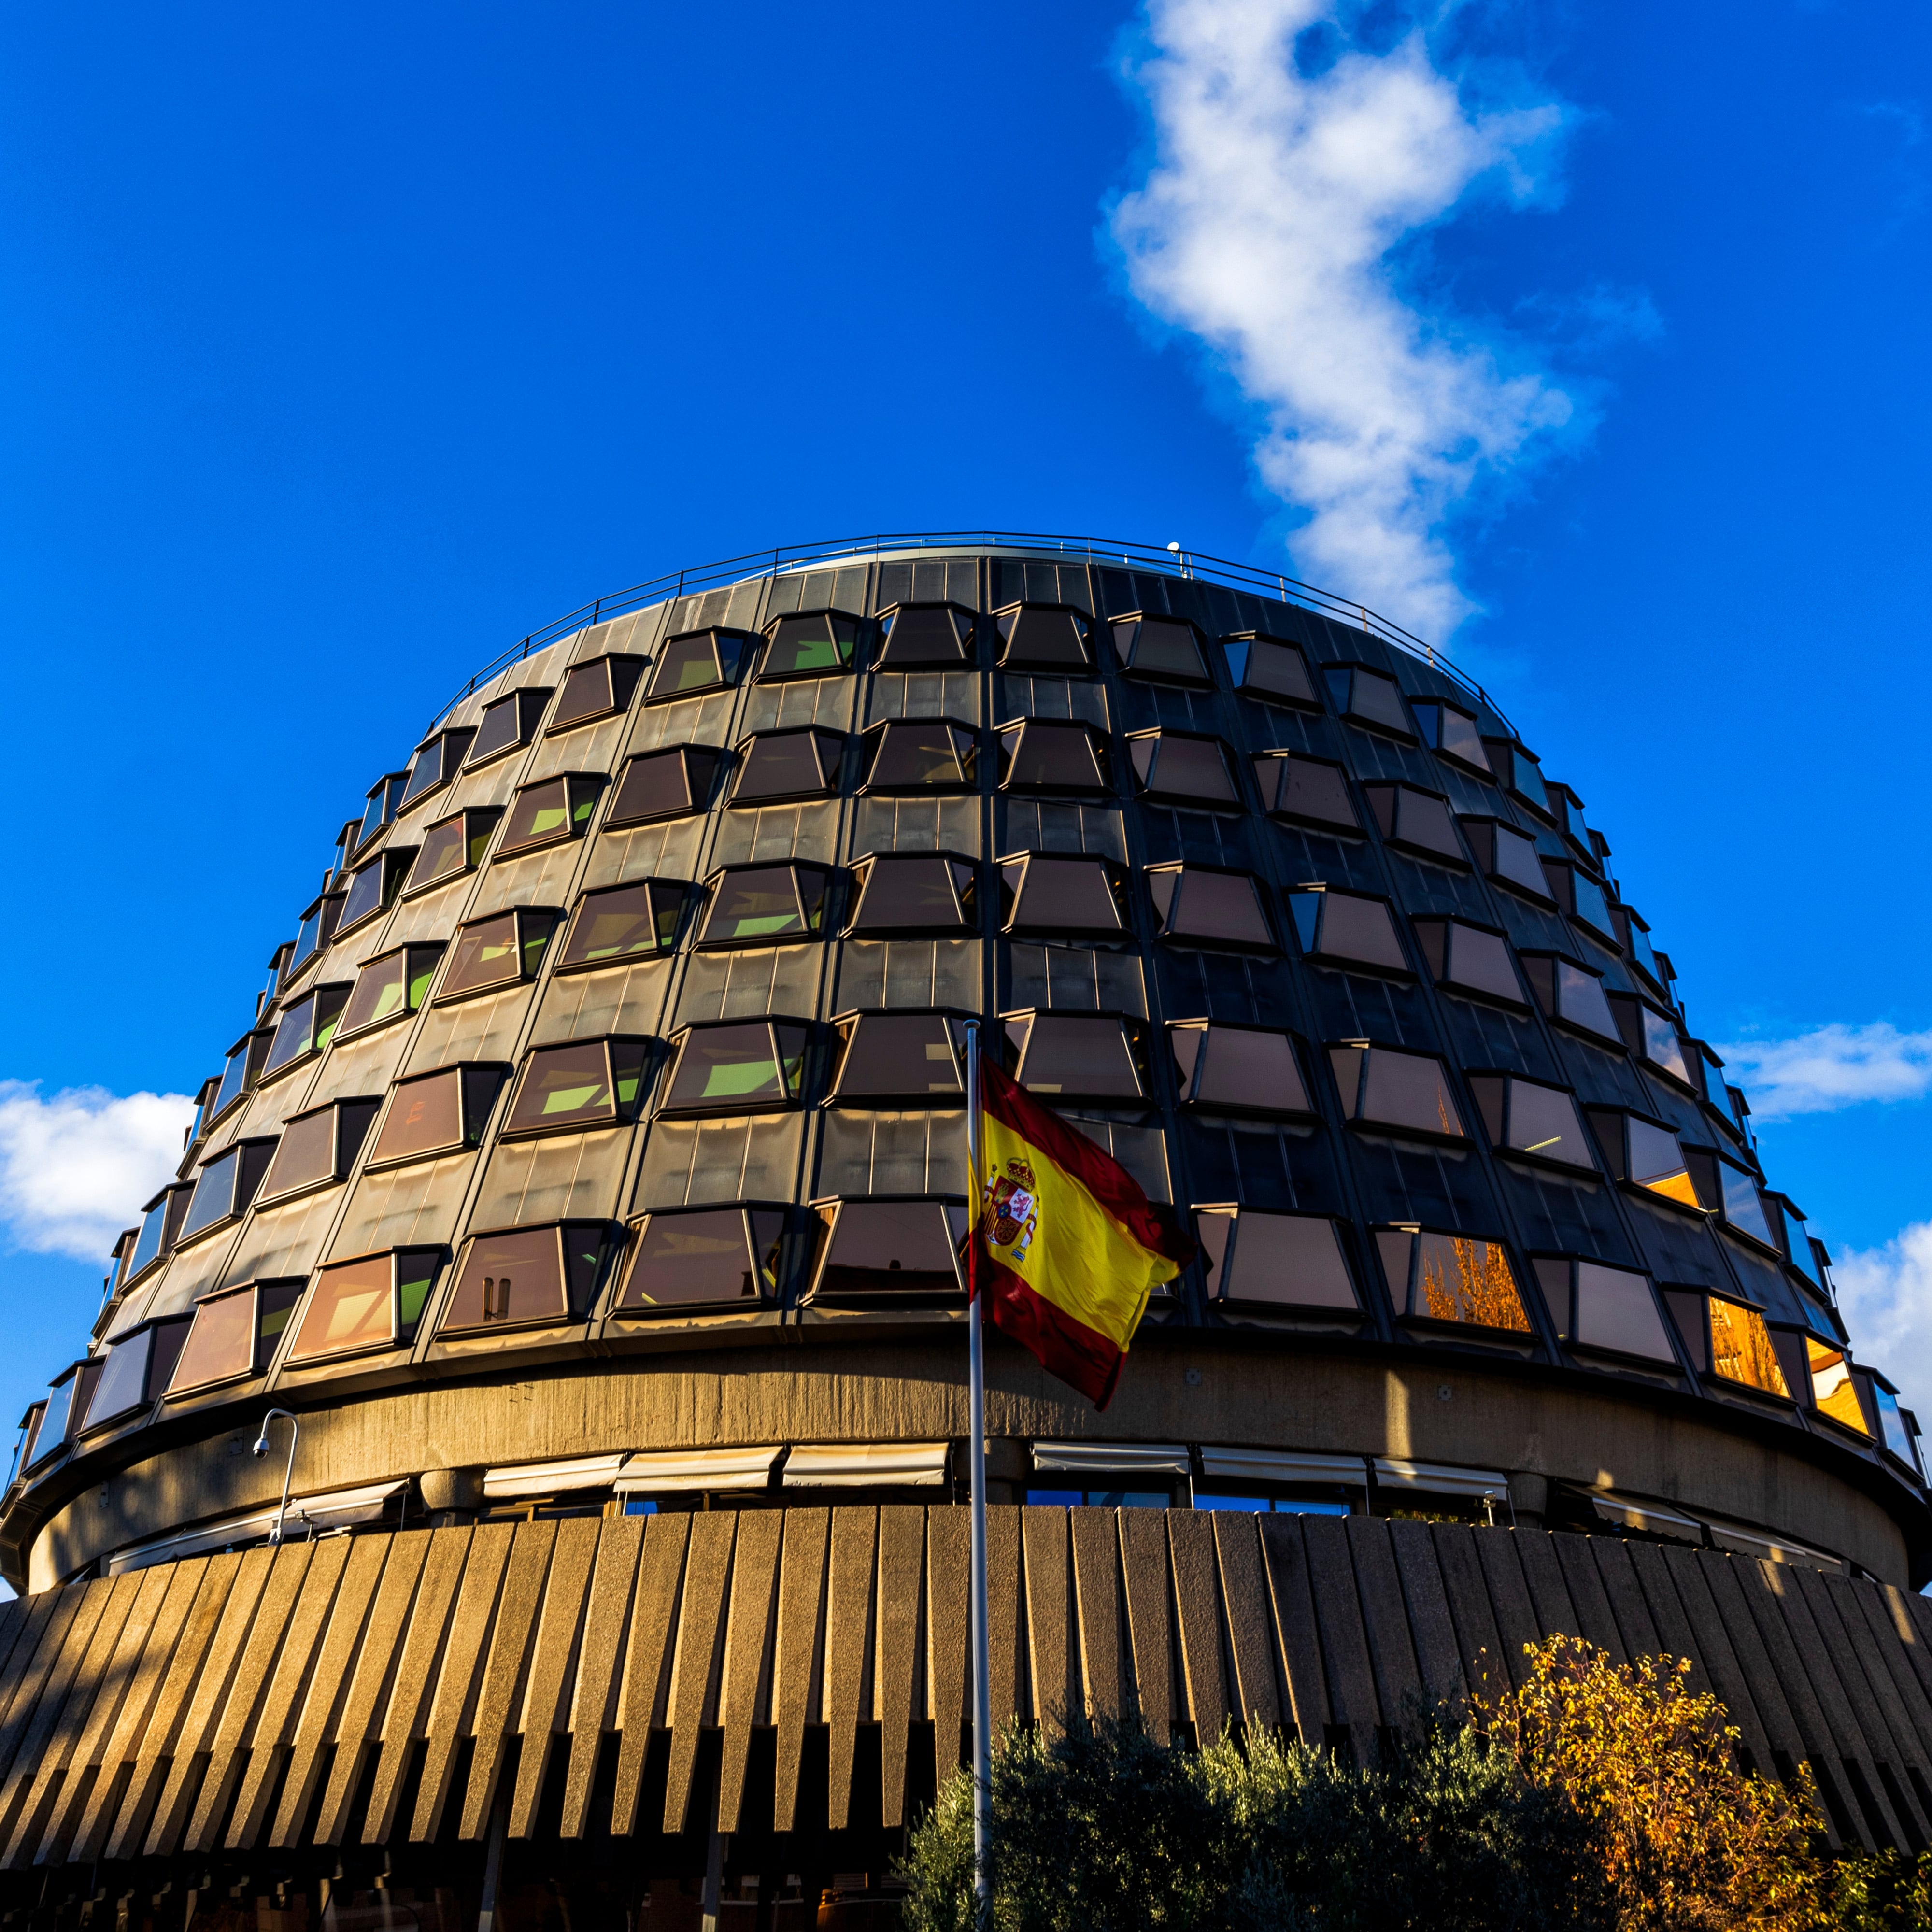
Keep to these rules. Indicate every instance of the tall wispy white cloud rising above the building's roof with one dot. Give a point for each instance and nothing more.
(1266, 229)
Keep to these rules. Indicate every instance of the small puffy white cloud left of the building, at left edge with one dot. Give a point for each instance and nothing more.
(76, 1166)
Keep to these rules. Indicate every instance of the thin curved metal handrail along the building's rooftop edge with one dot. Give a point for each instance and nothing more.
(791, 557)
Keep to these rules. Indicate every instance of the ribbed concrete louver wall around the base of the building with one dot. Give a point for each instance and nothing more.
(281, 1697)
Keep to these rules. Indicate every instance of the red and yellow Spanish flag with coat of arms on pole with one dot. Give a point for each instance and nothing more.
(1067, 1247)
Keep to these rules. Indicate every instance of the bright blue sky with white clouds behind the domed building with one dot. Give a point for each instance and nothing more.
(345, 347)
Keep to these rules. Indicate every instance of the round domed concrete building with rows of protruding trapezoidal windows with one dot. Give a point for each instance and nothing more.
(592, 1174)
